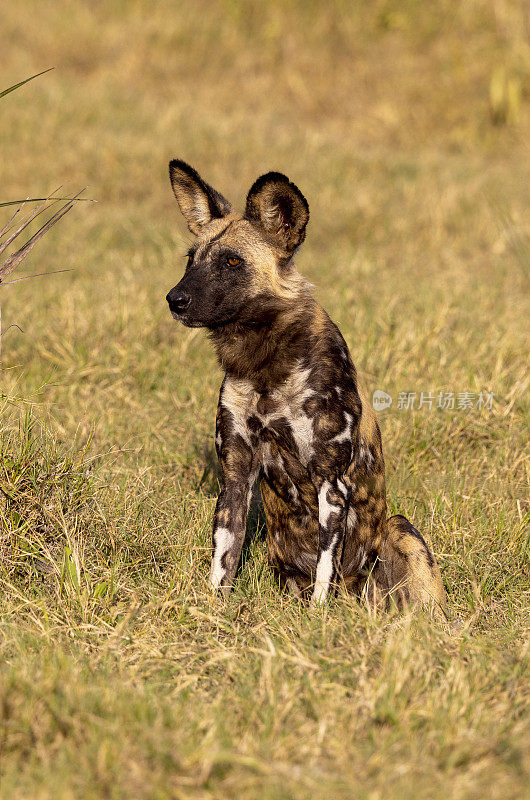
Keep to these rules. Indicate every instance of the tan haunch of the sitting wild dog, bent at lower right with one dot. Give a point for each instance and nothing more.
(406, 570)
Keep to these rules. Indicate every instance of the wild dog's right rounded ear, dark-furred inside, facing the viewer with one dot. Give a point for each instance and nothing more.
(279, 207)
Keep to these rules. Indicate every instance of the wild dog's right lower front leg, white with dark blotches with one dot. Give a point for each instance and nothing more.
(332, 508)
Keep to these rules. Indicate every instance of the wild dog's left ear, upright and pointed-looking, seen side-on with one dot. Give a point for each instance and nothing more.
(197, 200)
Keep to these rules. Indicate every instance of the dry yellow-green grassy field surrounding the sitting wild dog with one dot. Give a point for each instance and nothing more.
(407, 127)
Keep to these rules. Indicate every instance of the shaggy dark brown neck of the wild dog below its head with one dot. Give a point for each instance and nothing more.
(265, 352)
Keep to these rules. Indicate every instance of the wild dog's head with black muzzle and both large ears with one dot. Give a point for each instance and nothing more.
(240, 267)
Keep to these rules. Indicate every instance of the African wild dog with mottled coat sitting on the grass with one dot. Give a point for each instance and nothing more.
(291, 412)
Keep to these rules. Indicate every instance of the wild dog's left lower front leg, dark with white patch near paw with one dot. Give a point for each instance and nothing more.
(229, 529)
